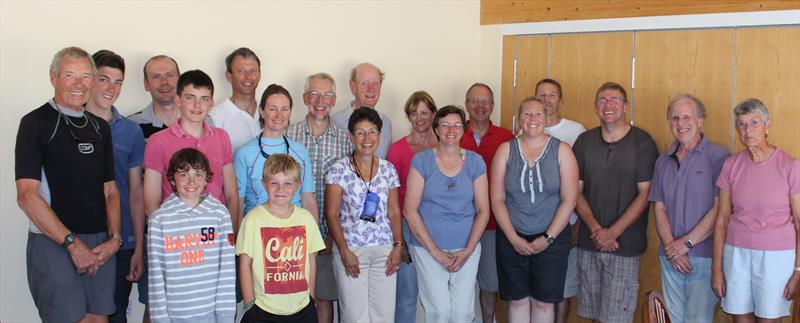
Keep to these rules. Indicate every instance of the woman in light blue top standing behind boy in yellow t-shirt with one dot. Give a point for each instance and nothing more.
(275, 113)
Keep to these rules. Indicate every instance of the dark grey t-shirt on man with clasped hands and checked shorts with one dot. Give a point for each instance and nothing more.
(610, 172)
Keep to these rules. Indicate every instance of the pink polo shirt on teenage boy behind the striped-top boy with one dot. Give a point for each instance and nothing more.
(214, 143)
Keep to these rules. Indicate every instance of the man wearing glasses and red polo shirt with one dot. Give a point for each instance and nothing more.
(483, 137)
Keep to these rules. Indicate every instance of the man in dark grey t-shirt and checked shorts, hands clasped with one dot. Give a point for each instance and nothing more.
(616, 164)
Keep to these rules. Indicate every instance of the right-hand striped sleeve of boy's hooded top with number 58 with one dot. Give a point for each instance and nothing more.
(226, 281)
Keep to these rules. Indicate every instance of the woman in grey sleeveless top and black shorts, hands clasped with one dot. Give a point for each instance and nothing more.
(534, 190)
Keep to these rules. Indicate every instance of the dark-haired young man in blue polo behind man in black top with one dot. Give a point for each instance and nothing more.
(128, 157)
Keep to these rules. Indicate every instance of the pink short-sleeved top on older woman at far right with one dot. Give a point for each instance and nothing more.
(761, 217)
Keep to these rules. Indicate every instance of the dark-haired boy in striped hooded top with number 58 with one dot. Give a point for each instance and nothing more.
(192, 275)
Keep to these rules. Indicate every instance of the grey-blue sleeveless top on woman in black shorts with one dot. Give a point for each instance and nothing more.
(533, 192)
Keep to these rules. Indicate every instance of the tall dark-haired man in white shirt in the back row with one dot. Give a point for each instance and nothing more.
(238, 115)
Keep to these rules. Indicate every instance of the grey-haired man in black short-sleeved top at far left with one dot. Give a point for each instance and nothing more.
(64, 171)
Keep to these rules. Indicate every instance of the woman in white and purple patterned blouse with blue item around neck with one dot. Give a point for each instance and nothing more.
(363, 214)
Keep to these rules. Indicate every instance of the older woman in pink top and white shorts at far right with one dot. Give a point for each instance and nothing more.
(756, 255)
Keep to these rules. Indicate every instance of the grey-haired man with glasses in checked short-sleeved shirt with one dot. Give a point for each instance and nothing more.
(326, 143)
